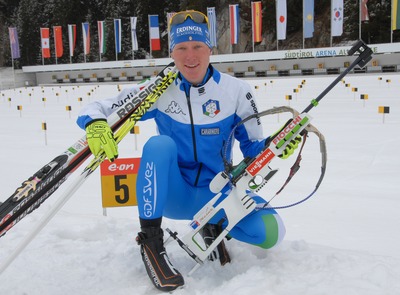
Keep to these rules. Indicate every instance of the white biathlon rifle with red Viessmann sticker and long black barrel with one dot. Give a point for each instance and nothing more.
(252, 173)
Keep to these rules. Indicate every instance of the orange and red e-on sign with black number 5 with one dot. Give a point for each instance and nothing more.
(118, 182)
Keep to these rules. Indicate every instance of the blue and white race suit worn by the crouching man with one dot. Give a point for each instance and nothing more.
(194, 124)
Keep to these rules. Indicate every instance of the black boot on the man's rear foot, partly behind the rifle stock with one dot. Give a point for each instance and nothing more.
(209, 233)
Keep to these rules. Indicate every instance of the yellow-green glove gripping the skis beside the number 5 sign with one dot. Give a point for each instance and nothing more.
(100, 137)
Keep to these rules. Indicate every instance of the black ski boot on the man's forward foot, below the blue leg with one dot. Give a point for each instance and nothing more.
(160, 270)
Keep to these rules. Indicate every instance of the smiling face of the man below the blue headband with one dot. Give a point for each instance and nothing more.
(192, 59)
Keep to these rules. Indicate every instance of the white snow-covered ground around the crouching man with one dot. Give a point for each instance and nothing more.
(344, 240)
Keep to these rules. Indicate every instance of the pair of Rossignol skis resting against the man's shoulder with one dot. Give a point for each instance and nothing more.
(42, 184)
